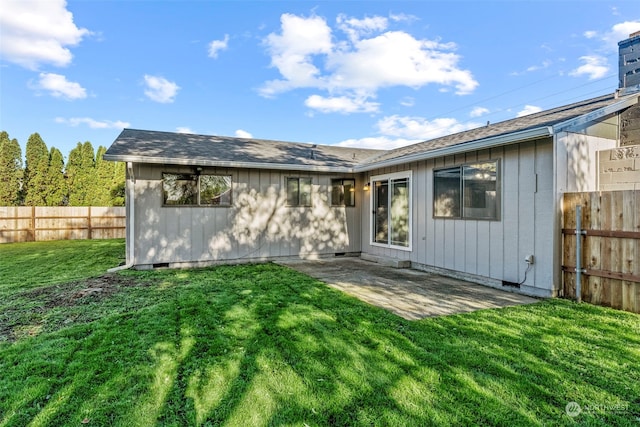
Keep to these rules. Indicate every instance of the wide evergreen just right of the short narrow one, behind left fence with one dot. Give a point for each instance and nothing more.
(81, 176)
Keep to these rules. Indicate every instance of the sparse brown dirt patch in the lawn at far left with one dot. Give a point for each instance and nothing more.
(52, 307)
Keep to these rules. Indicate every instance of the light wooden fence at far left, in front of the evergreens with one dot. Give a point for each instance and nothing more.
(31, 223)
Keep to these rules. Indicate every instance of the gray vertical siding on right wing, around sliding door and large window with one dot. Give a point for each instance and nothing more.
(484, 251)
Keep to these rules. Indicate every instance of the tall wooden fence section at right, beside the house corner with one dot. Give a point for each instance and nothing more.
(610, 239)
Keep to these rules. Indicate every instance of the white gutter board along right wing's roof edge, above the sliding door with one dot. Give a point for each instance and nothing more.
(480, 144)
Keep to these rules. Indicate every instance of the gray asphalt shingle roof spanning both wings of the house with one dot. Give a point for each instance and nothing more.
(202, 150)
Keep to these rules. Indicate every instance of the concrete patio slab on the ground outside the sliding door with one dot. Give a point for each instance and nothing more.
(411, 294)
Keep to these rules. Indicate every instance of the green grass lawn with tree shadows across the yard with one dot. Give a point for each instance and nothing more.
(264, 345)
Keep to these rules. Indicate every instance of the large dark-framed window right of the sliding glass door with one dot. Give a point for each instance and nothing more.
(469, 191)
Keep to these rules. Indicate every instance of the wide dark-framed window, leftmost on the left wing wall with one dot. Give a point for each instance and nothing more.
(196, 190)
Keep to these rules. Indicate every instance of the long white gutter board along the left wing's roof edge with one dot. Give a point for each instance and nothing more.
(225, 164)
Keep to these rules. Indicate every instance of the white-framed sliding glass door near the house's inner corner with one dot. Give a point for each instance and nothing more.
(391, 201)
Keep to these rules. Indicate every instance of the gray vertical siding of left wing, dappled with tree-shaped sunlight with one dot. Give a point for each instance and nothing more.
(258, 225)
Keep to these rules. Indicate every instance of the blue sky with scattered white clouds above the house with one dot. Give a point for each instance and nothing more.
(376, 74)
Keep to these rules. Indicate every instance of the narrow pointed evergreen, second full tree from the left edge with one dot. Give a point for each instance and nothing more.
(37, 165)
